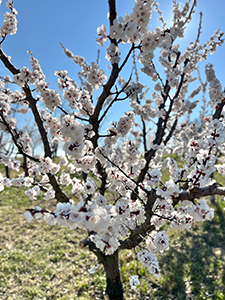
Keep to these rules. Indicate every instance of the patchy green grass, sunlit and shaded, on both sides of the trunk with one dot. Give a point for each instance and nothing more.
(42, 262)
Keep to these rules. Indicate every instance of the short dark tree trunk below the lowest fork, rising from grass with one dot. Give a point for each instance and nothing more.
(114, 288)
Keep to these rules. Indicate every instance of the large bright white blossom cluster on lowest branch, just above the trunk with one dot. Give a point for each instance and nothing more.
(93, 216)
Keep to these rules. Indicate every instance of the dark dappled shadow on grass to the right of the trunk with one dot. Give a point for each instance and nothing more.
(193, 268)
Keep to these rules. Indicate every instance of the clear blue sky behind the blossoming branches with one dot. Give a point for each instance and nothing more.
(42, 25)
